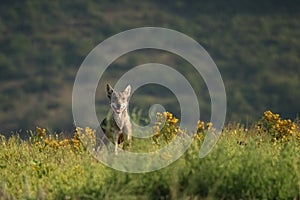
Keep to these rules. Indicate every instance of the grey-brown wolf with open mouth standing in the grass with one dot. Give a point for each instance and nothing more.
(119, 122)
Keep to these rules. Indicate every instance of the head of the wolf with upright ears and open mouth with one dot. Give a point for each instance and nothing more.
(118, 100)
